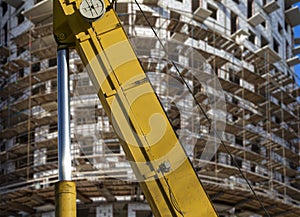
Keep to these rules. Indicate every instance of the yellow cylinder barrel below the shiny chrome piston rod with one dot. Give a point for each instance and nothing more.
(65, 199)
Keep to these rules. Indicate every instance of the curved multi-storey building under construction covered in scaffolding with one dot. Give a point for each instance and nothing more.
(248, 46)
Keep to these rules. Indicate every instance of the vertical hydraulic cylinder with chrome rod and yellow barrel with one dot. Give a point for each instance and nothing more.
(65, 189)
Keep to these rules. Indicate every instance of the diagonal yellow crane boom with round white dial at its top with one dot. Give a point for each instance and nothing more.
(166, 175)
